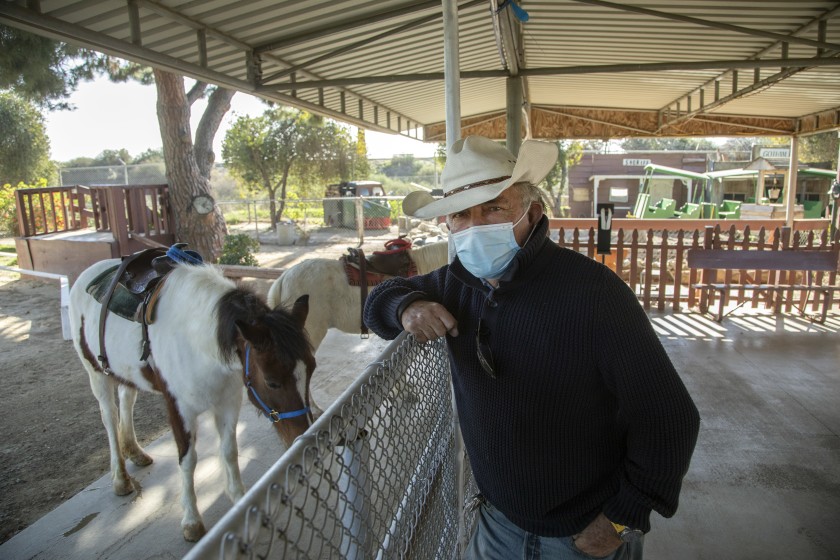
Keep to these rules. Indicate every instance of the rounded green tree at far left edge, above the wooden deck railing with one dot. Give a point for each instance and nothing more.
(24, 146)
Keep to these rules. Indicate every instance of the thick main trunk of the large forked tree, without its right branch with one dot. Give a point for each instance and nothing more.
(203, 233)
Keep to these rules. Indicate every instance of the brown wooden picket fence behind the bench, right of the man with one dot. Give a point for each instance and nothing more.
(650, 255)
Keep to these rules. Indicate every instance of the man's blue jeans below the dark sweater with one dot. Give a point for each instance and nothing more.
(495, 537)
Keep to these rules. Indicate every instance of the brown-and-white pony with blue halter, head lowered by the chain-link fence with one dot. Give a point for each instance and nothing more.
(208, 337)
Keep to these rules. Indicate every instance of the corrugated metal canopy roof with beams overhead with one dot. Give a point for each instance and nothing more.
(588, 68)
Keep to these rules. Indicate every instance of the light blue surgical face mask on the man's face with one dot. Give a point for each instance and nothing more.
(487, 251)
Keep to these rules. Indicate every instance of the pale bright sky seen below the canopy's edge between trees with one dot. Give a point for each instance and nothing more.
(112, 116)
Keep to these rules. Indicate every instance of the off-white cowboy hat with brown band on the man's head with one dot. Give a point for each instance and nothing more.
(479, 169)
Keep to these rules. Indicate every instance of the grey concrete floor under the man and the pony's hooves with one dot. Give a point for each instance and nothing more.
(764, 481)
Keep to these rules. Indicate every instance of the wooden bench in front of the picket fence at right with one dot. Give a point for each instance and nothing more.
(809, 263)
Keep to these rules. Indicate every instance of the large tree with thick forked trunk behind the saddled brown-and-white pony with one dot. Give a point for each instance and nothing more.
(48, 71)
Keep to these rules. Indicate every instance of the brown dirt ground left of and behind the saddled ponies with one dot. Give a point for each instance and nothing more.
(53, 443)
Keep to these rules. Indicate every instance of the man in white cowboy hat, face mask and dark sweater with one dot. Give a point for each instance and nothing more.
(576, 423)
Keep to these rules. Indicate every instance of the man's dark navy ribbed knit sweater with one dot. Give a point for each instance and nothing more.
(587, 413)
